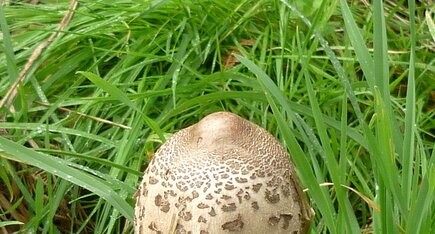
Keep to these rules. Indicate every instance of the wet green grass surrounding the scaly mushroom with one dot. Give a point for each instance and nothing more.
(346, 86)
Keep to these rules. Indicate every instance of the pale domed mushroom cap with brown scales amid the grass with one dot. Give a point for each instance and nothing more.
(223, 174)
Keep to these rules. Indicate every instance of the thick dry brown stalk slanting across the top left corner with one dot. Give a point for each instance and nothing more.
(12, 92)
